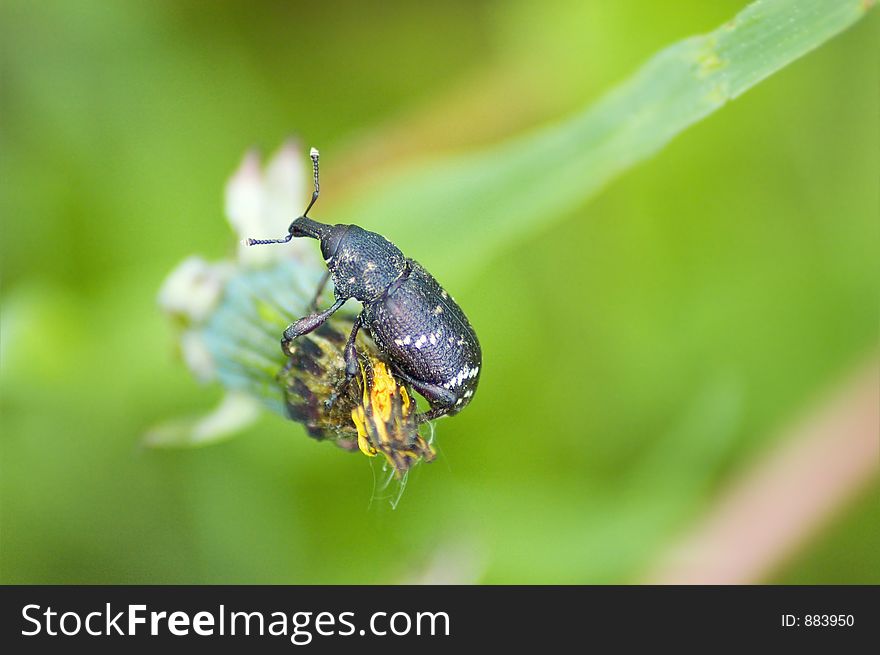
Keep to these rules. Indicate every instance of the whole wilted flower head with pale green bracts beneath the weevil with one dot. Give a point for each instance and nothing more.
(228, 315)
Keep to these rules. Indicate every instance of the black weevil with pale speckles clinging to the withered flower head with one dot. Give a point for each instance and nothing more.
(414, 322)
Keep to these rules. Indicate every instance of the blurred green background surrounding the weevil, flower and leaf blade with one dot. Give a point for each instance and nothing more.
(638, 354)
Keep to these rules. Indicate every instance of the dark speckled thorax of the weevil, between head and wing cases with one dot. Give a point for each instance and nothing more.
(362, 264)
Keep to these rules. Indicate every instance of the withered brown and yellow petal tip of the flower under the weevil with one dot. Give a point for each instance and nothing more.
(376, 413)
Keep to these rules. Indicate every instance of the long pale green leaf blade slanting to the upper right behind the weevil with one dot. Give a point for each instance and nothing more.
(498, 196)
